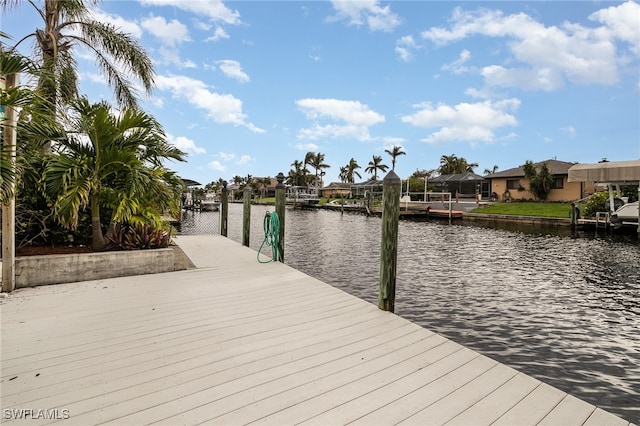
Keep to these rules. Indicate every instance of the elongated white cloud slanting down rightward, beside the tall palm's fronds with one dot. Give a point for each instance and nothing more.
(221, 108)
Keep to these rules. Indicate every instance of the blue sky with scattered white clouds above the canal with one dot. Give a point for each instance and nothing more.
(247, 87)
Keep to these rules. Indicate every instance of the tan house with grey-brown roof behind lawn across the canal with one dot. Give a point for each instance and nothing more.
(512, 185)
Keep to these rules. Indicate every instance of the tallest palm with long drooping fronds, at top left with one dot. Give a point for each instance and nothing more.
(69, 23)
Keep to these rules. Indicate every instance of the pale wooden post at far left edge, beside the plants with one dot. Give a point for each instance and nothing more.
(9, 205)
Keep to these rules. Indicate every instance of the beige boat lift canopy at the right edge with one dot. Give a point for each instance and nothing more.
(620, 172)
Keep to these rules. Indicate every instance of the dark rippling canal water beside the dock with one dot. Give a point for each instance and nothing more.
(562, 308)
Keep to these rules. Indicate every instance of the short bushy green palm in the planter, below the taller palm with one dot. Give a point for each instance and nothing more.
(115, 162)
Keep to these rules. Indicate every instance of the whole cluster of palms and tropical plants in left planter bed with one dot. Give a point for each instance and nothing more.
(82, 171)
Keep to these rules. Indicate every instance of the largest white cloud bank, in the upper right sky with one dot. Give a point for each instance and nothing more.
(545, 57)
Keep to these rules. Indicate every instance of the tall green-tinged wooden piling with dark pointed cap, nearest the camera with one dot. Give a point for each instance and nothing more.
(389, 246)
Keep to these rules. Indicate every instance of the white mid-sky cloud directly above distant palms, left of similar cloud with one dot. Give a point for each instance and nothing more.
(355, 119)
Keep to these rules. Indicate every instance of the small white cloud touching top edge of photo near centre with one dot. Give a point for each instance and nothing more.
(370, 12)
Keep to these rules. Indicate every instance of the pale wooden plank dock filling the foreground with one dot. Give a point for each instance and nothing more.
(235, 341)
